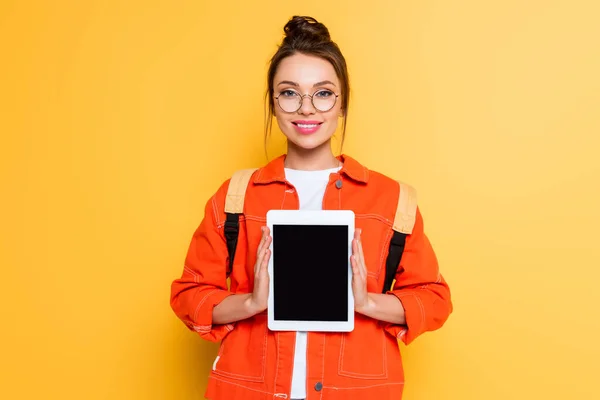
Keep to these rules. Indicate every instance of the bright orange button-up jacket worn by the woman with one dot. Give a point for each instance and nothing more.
(255, 363)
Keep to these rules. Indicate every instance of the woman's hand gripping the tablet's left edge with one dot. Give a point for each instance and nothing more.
(259, 299)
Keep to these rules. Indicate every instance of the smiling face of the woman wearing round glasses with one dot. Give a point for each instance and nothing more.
(307, 127)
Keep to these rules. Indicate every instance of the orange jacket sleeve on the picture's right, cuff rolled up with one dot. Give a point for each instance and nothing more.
(420, 287)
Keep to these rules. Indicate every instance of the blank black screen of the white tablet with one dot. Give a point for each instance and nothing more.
(310, 272)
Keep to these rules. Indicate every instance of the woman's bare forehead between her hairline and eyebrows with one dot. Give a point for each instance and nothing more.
(305, 70)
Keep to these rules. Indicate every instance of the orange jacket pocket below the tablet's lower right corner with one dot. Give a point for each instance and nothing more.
(363, 351)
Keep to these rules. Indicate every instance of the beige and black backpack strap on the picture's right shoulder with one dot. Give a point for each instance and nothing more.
(404, 222)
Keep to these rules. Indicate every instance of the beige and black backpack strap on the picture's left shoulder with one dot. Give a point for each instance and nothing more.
(234, 206)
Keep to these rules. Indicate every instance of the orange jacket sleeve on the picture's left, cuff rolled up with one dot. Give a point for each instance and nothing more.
(203, 283)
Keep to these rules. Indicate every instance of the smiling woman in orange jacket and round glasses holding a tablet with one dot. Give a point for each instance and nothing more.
(308, 93)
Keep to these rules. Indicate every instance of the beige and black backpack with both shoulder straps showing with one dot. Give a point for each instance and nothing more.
(404, 221)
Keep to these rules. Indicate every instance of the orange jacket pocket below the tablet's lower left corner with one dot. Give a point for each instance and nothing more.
(243, 351)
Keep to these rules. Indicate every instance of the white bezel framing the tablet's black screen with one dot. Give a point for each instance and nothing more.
(311, 217)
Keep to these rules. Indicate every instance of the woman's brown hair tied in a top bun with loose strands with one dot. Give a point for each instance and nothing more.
(305, 35)
